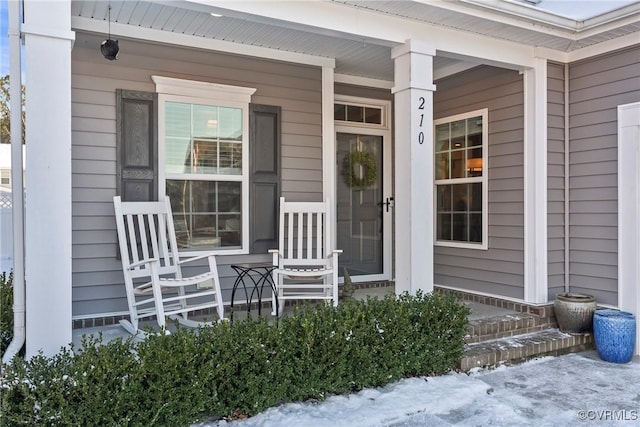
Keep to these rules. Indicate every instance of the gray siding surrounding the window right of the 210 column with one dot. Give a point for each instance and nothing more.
(500, 269)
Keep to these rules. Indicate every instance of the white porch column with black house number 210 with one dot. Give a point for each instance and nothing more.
(413, 95)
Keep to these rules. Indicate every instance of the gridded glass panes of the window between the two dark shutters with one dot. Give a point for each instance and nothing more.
(204, 143)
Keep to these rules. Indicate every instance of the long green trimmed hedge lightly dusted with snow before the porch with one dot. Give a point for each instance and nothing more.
(241, 369)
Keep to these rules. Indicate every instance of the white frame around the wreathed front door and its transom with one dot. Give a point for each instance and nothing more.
(387, 173)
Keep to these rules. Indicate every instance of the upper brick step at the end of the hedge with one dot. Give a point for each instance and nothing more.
(506, 326)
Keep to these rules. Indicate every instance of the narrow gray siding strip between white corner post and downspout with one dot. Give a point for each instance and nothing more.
(555, 180)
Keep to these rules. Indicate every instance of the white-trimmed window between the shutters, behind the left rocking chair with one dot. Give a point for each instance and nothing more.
(203, 156)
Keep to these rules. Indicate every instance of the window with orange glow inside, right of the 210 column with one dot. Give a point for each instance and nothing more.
(461, 180)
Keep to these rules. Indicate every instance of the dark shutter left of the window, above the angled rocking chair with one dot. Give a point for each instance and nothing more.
(136, 145)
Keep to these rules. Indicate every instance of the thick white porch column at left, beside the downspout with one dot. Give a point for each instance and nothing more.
(47, 52)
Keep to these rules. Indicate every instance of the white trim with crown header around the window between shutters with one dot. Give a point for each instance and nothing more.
(203, 93)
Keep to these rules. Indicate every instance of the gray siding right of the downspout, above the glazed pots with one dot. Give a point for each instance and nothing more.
(597, 86)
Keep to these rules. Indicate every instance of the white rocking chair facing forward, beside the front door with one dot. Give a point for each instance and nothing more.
(306, 264)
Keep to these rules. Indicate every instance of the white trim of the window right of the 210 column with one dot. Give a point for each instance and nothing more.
(484, 112)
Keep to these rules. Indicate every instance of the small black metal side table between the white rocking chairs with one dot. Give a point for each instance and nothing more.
(260, 275)
